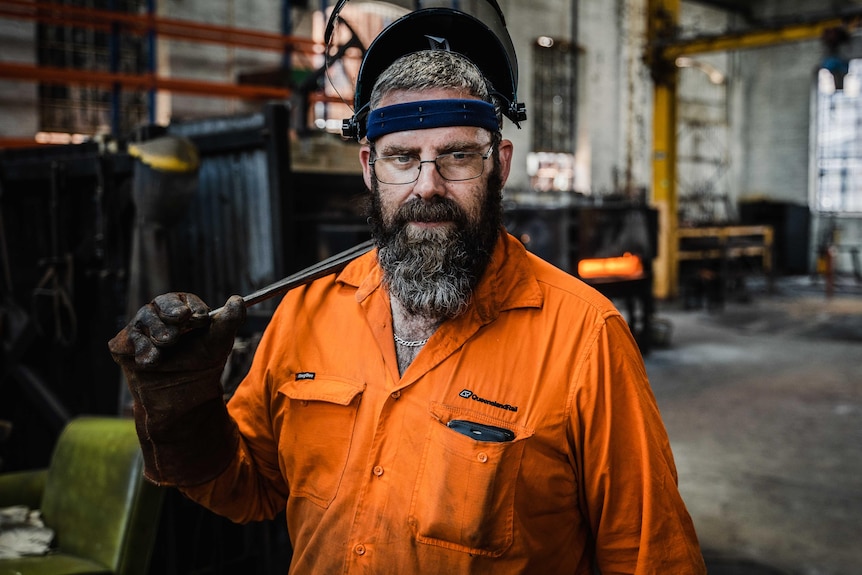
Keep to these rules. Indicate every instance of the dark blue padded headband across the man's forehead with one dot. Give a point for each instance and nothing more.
(431, 114)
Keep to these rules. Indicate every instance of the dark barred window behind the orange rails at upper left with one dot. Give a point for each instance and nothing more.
(86, 109)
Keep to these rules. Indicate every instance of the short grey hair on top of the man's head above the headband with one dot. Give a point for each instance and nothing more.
(429, 69)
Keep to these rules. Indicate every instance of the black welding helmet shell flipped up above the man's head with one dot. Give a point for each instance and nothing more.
(485, 42)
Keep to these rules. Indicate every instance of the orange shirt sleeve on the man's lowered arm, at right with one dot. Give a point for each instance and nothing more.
(628, 480)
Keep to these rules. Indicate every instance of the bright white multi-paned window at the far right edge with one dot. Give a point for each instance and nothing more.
(838, 148)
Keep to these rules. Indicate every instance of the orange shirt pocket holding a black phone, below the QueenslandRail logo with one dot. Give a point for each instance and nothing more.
(464, 497)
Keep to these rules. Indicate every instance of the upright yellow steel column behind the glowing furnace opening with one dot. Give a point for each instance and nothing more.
(663, 17)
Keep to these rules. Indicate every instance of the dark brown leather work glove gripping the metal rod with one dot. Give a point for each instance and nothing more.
(173, 355)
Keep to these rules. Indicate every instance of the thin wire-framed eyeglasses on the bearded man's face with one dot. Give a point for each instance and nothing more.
(453, 167)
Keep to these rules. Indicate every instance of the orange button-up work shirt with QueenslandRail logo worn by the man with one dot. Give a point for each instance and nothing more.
(372, 479)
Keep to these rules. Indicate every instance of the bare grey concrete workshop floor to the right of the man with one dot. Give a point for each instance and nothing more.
(763, 405)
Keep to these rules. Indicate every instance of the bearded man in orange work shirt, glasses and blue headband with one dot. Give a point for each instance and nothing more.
(448, 403)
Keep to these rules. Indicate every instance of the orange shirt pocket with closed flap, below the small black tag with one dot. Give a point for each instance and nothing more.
(316, 433)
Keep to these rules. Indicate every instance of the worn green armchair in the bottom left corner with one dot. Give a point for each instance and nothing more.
(104, 514)
